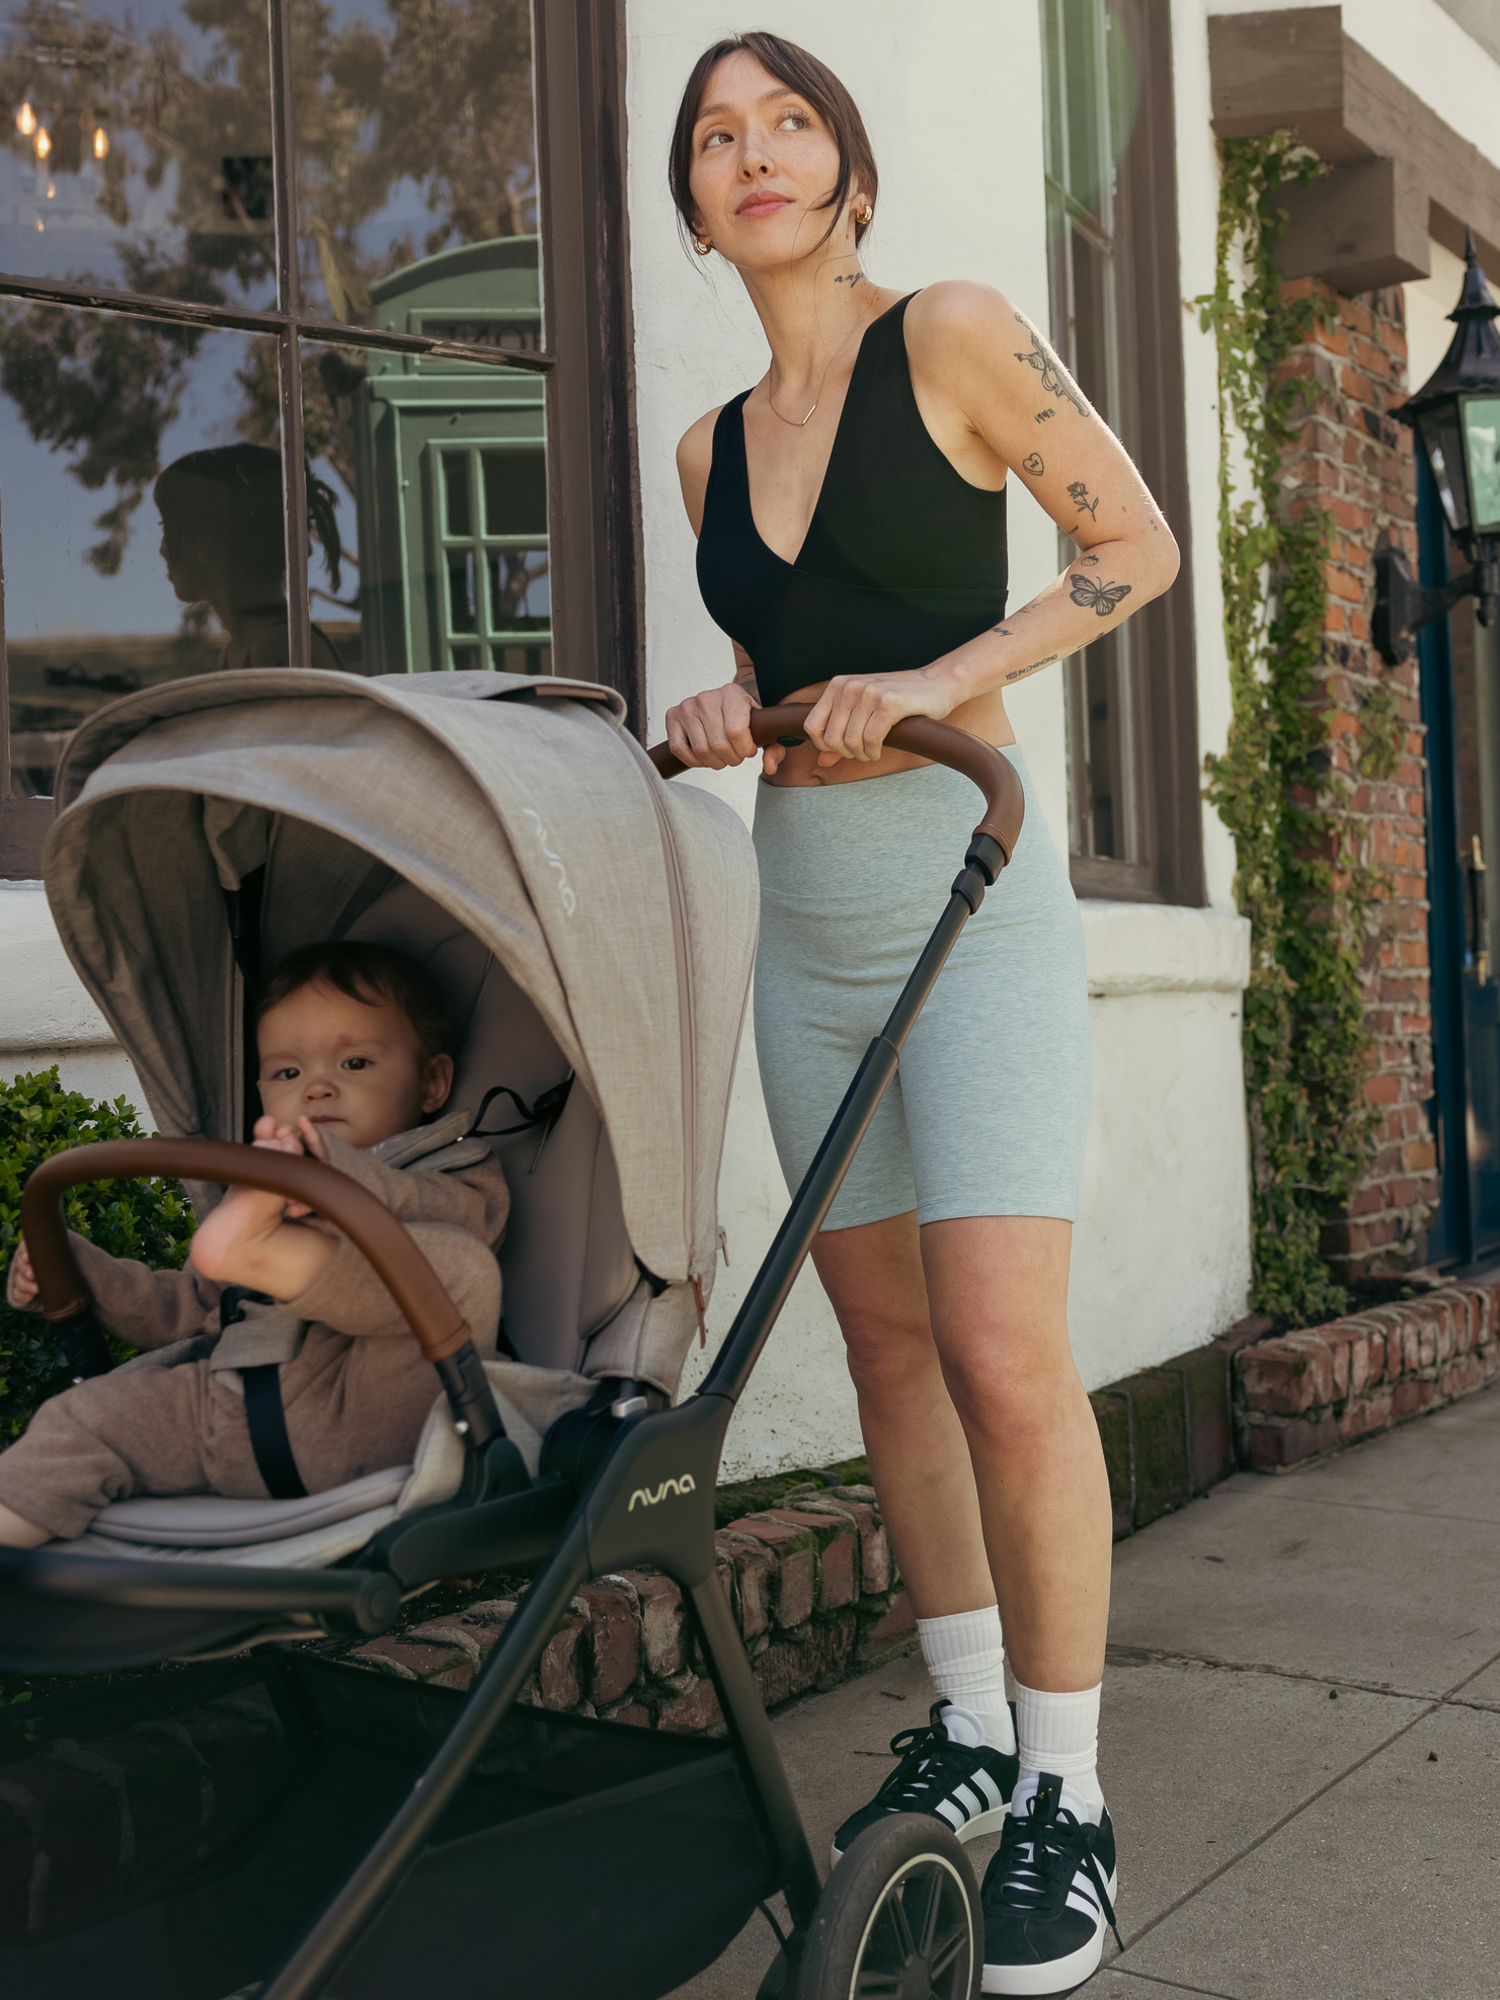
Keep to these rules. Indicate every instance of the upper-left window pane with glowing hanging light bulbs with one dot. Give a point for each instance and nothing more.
(139, 147)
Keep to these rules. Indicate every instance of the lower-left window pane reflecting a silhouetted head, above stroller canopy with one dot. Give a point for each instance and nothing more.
(141, 485)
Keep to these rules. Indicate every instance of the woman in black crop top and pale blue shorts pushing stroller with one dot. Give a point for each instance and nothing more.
(853, 545)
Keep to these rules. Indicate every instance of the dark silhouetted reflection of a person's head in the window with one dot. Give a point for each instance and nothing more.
(223, 543)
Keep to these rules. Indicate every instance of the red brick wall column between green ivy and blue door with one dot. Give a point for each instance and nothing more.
(1355, 463)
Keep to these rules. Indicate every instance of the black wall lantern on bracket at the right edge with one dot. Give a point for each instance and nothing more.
(1457, 421)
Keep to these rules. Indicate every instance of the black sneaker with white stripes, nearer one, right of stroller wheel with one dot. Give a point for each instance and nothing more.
(1047, 1895)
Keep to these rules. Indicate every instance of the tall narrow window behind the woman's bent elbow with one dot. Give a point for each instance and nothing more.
(1113, 267)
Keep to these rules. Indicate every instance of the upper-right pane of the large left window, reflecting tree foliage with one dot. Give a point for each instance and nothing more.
(415, 137)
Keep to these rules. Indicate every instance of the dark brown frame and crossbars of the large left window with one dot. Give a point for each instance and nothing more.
(587, 359)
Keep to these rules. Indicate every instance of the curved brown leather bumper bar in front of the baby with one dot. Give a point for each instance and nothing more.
(369, 1225)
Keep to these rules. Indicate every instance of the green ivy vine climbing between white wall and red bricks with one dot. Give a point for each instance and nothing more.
(1301, 877)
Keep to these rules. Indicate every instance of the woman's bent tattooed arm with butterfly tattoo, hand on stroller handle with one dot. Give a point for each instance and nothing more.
(997, 401)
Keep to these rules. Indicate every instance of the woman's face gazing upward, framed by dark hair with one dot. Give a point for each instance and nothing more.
(763, 161)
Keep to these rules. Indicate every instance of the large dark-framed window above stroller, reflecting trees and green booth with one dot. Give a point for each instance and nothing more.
(283, 277)
